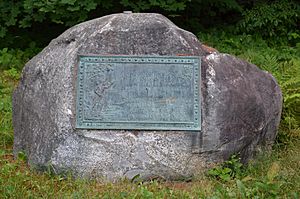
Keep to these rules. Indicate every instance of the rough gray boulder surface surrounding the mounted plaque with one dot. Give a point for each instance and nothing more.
(241, 105)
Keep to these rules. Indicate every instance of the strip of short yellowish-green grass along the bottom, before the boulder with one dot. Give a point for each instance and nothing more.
(268, 176)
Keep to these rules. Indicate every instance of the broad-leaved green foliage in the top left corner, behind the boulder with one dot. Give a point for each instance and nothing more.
(24, 13)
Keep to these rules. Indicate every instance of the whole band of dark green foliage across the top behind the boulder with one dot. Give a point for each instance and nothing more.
(280, 18)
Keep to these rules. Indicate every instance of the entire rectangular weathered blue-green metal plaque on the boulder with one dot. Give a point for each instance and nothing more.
(138, 92)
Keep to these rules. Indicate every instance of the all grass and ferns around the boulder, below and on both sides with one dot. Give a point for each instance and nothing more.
(270, 175)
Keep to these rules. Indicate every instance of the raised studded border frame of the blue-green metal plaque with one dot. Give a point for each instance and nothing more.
(137, 125)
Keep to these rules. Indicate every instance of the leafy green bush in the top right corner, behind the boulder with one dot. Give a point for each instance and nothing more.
(273, 19)
